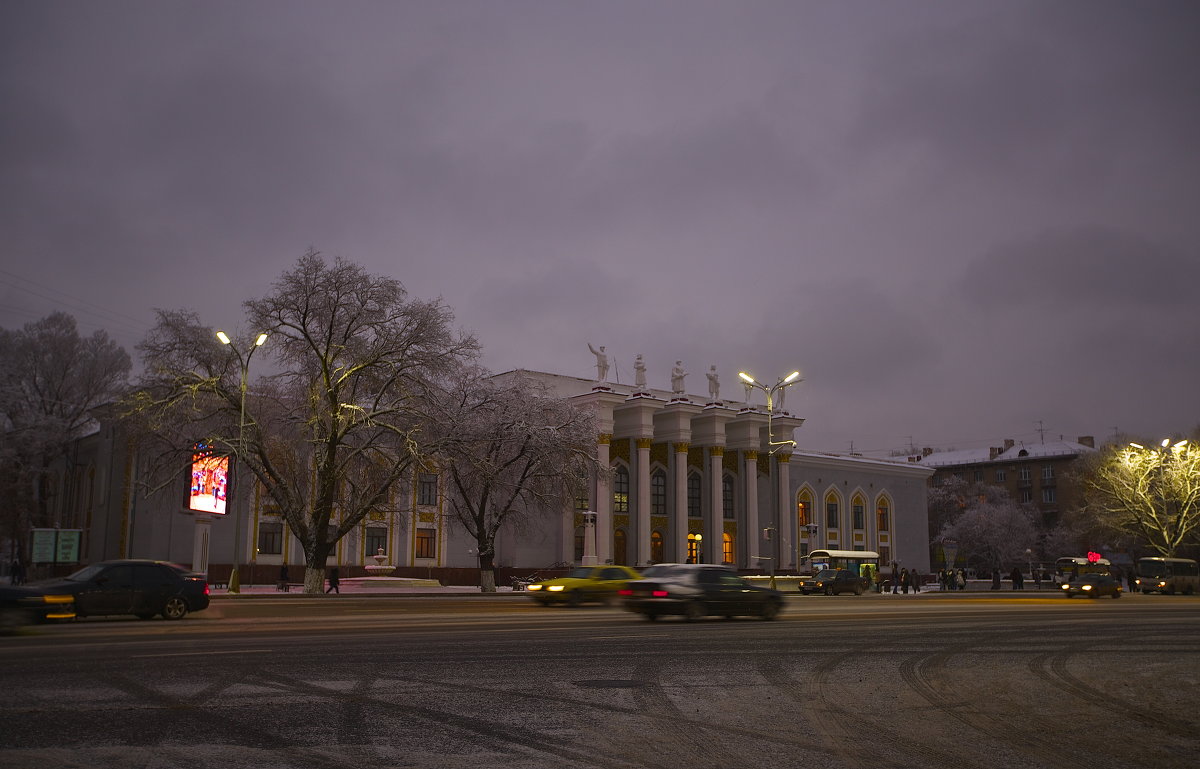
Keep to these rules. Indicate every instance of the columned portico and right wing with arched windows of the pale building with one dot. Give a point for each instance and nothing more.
(712, 480)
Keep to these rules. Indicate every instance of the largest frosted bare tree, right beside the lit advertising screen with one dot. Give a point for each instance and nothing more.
(339, 424)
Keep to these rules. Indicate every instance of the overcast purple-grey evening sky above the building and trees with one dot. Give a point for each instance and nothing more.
(959, 220)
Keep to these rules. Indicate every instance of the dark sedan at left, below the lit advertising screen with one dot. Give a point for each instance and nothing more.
(142, 588)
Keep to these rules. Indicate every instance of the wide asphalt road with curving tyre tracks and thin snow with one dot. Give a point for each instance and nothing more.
(964, 682)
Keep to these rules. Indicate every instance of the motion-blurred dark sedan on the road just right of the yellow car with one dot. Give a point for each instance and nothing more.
(697, 591)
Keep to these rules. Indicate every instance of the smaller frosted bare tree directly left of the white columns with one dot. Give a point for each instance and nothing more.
(511, 453)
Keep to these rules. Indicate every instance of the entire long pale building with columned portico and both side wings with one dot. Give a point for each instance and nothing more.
(692, 478)
